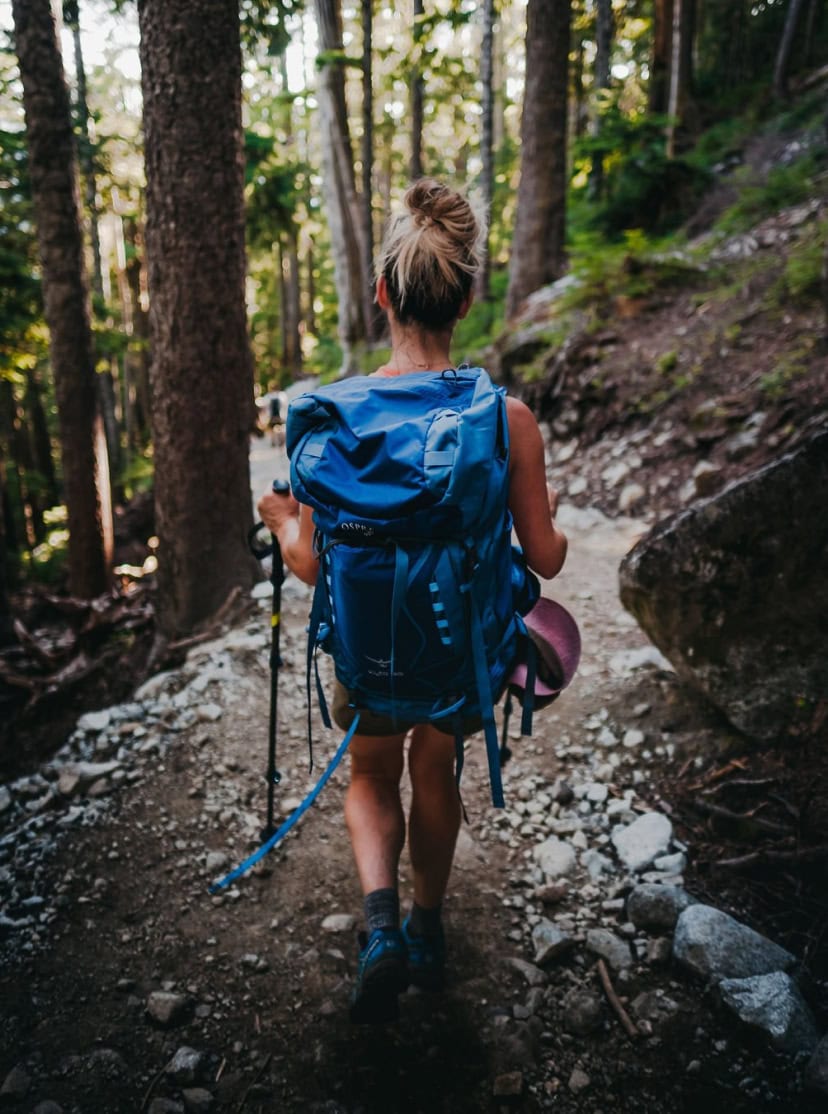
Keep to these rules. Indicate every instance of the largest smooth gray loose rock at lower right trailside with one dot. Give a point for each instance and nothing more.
(715, 946)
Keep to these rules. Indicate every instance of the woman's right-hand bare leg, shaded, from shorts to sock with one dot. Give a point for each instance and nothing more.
(435, 818)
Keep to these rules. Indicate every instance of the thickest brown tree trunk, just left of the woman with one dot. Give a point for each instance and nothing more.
(202, 373)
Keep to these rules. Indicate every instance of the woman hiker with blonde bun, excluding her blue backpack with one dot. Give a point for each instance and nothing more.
(428, 262)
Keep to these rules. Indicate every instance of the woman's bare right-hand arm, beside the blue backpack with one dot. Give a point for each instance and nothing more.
(532, 503)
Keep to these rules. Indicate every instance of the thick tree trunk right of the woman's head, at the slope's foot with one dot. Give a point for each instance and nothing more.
(538, 251)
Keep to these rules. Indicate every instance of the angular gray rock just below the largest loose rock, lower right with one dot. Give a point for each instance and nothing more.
(773, 1004)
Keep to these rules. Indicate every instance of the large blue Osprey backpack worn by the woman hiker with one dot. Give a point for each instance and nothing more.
(421, 591)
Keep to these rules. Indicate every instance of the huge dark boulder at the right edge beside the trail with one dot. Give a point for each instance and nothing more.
(734, 593)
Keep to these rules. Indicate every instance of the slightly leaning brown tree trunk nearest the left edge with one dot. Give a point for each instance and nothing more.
(54, 181)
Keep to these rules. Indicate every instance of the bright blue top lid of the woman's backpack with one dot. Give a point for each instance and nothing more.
(416, 454)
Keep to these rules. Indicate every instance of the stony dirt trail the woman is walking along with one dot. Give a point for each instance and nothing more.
(259, 990)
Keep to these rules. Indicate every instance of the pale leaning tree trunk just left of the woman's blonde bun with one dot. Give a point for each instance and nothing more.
(343, 209)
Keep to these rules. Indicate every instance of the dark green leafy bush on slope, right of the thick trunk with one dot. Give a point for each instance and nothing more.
(642, 188)
